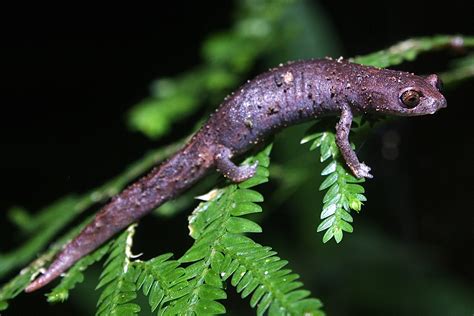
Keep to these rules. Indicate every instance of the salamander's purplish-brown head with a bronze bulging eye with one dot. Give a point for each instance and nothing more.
(403, 94)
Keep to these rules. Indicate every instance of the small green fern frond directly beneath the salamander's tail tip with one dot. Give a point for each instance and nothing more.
(75, 275)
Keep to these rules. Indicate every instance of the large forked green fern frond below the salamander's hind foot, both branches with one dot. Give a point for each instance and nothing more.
(221, 250)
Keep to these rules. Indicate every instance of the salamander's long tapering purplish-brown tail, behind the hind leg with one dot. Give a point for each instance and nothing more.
(161, 184)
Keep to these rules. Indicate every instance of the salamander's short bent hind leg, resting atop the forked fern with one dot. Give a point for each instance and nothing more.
(230, 170)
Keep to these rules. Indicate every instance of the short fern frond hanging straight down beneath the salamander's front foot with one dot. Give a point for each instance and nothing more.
(344, 193)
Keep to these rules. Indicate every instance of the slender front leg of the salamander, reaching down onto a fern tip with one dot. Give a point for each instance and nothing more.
(343, 128)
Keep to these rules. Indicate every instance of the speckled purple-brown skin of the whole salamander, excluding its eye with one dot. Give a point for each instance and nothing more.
(287, 95)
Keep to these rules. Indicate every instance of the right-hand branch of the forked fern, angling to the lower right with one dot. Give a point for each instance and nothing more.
(258, 271)
